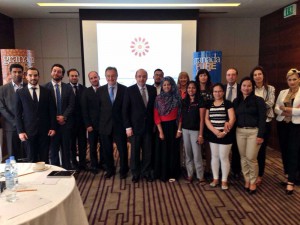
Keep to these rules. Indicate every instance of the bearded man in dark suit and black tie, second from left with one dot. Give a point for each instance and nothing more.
(35, 117)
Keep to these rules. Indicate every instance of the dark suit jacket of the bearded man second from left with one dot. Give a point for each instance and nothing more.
(31, 119)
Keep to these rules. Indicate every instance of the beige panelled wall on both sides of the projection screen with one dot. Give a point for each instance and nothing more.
(58, 41)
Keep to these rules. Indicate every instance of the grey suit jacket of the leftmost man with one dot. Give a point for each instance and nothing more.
(7, 106)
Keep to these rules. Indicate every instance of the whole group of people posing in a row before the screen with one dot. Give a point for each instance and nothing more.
(167, 124)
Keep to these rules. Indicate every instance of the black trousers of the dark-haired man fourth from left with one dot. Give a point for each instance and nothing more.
(78, 137)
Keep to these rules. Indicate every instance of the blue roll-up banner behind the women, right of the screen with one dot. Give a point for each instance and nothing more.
(210, 60)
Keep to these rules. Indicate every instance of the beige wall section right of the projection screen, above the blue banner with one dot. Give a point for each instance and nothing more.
(237, 38)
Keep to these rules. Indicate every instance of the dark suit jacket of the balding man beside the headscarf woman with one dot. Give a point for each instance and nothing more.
(135, 114)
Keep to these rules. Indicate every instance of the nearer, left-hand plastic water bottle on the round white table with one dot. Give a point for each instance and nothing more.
(10, 191)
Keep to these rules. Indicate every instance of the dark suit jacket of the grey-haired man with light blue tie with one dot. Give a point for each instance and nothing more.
(111, 118)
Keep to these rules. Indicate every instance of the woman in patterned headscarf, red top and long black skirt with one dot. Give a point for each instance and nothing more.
(167, 119)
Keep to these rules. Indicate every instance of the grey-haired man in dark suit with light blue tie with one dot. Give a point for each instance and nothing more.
(111, 127)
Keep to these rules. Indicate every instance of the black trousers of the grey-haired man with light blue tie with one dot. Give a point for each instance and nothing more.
(121, 142)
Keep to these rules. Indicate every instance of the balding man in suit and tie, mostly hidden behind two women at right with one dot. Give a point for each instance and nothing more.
(231, 92)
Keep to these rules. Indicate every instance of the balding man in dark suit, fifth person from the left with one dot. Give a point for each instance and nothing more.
(90, 113)
